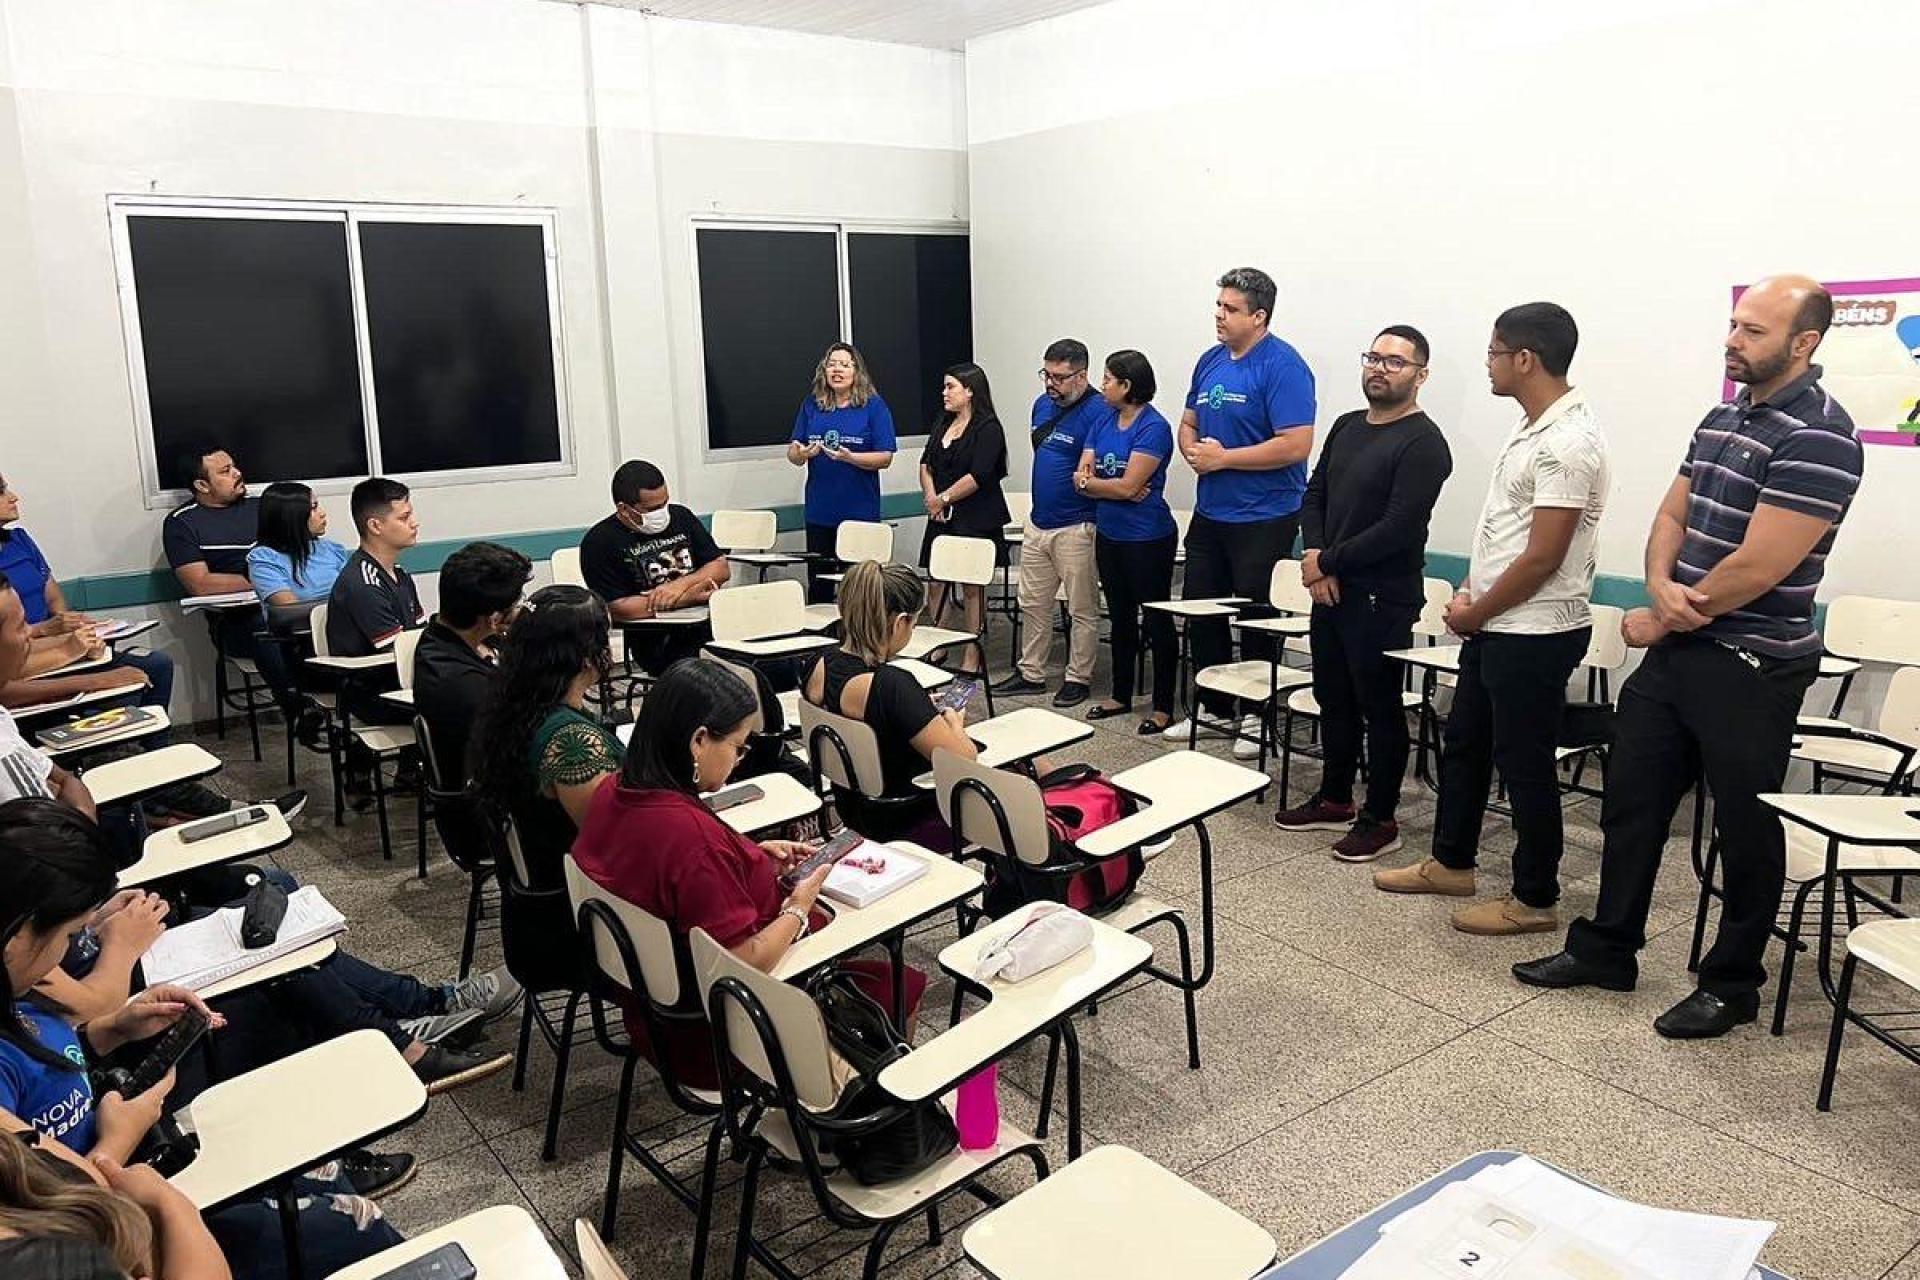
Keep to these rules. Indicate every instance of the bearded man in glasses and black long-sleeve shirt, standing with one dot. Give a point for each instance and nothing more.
(1364, 529)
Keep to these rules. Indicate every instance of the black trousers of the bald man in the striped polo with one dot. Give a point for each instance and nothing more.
(1696, 705)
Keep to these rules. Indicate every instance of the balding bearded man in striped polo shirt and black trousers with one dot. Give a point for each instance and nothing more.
(1735, 557)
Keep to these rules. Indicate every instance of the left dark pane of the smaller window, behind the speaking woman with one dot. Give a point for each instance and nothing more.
(769, 310)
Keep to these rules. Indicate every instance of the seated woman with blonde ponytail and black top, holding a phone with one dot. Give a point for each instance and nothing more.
(878, 609)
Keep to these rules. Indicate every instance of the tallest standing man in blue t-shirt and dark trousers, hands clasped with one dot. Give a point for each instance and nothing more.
(1247, 433)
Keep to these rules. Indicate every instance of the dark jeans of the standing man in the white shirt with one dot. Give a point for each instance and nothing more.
(1506, 713)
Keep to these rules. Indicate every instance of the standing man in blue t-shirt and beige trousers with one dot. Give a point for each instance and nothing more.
(1057, 544)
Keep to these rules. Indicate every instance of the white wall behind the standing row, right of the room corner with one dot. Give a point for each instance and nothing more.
(1435, 164)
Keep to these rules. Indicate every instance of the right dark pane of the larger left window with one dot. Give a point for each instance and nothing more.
(462, 344)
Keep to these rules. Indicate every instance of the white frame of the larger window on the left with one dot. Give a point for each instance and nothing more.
(348, 214)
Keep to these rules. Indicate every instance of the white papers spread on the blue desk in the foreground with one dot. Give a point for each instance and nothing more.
(1525, 1221)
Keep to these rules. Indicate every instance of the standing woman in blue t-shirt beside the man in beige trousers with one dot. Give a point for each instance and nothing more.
(1124, 469)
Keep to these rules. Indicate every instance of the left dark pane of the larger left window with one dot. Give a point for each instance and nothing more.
(247, 327)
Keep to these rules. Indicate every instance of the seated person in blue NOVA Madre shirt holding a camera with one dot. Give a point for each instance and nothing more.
(57, 876)
